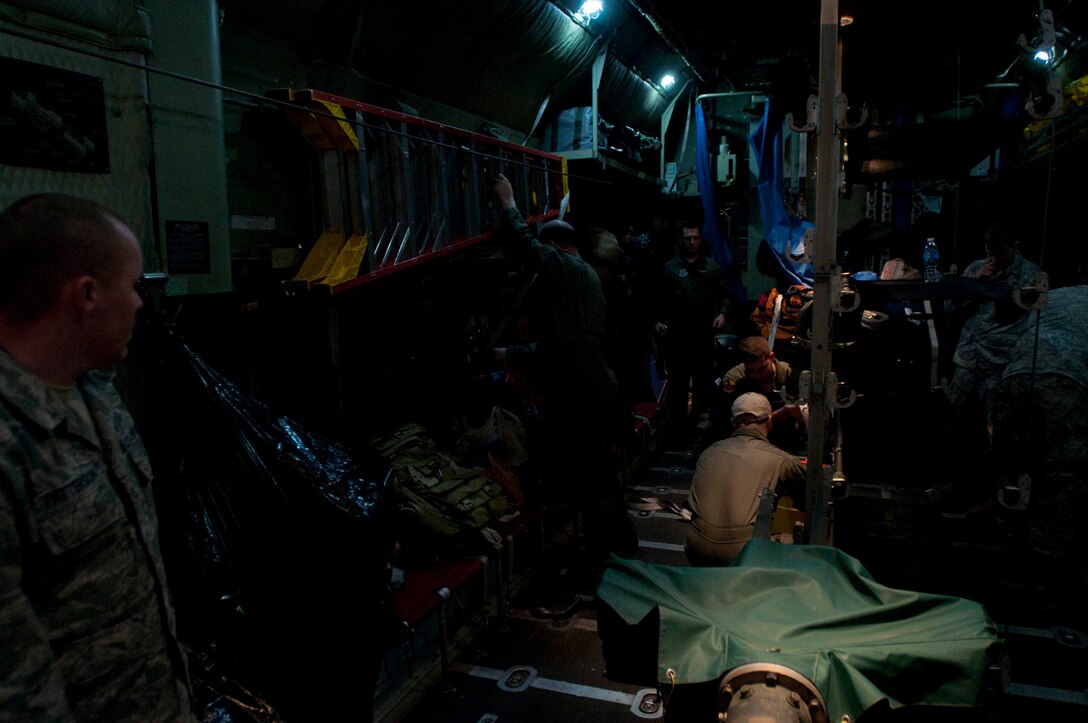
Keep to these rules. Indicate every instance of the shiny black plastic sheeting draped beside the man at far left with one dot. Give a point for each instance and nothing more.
(277, 543)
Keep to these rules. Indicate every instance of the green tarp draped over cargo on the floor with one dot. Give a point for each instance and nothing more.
(811, 609)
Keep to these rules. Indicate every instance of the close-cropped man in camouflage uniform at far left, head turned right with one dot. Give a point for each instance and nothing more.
(86, 624)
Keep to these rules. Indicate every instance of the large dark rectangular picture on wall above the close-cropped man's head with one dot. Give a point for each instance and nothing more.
(53, 119)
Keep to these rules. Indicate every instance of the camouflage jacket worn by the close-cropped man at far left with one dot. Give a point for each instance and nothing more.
(86, 627)
